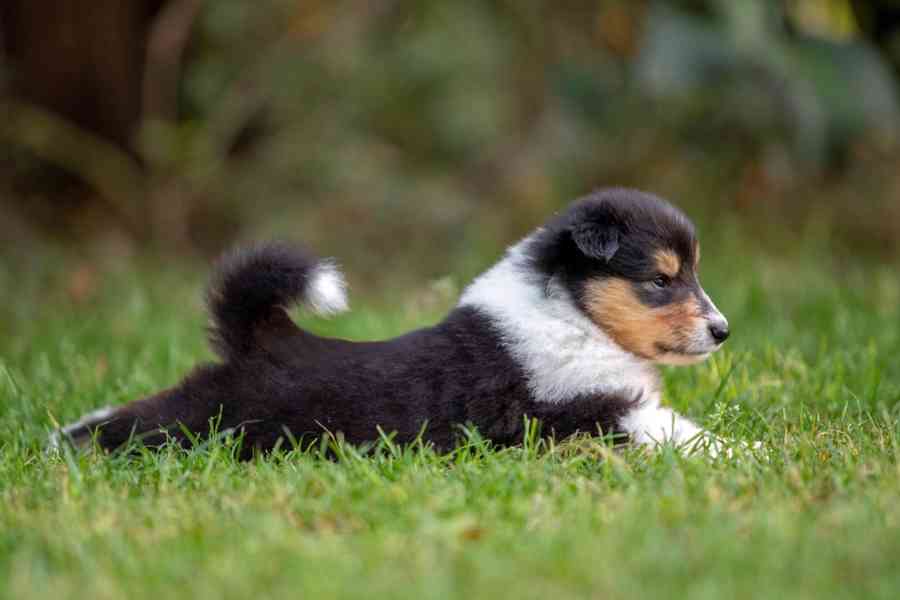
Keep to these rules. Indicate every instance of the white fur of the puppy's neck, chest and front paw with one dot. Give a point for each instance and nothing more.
(565, 355)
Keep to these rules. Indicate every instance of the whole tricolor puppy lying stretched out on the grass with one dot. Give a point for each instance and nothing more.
(567, 328)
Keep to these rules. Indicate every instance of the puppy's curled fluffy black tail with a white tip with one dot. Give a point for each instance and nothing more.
(250, 282)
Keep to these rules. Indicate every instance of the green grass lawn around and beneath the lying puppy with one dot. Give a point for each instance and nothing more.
(813, 371)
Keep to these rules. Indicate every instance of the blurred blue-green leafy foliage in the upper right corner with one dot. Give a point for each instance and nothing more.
(741, 67)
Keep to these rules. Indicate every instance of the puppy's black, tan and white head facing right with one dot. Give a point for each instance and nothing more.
(630, 261)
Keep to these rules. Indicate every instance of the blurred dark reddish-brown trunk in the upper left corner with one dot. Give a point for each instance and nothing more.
(82, 60)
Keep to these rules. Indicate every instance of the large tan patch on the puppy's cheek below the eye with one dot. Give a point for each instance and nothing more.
(613, 305)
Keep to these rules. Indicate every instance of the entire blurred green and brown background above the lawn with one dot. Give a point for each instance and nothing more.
(416, 139)
